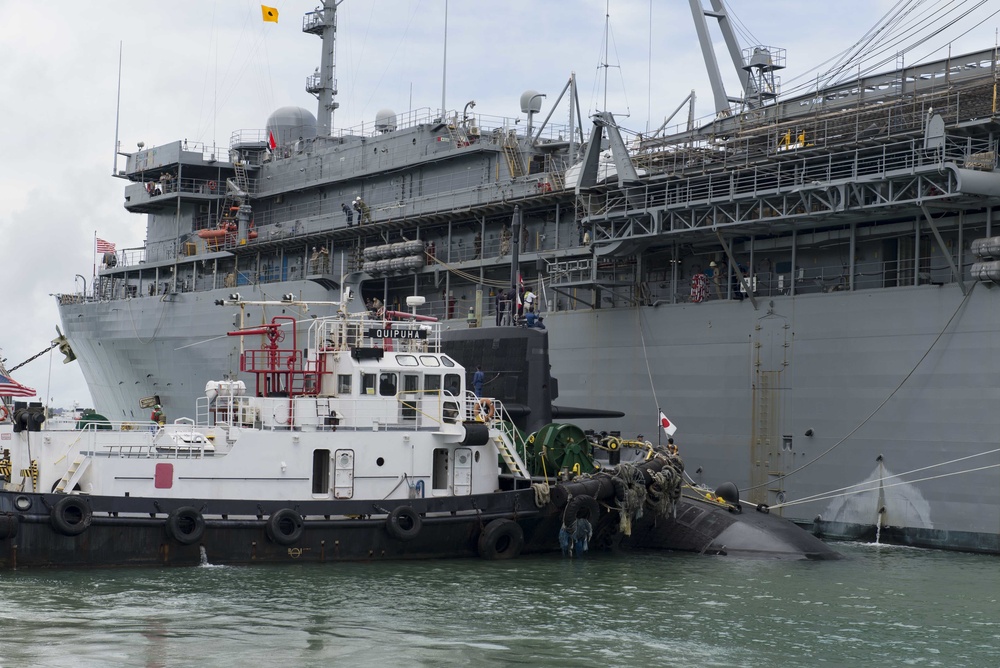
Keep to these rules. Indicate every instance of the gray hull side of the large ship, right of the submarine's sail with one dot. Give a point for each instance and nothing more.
(880, 406)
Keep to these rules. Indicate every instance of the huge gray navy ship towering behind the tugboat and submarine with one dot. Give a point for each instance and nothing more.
(806, 282)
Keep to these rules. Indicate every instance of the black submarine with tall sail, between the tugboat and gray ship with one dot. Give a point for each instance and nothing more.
(517, 371)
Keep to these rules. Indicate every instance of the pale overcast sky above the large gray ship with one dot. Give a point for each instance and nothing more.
(201, 69)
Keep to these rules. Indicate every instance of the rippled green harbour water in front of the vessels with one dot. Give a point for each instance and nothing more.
(881, 607)
